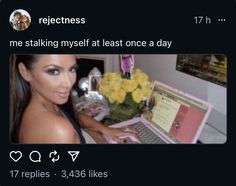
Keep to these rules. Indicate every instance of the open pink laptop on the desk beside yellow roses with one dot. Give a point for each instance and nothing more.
(172, 117)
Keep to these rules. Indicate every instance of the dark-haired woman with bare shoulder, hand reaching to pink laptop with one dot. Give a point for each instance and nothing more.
(41, 107)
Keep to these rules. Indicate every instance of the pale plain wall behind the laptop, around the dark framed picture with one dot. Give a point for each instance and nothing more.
(162, 68)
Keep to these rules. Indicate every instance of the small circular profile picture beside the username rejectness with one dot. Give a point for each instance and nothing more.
(20, 20)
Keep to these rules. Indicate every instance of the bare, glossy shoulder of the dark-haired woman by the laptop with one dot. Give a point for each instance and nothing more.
(46, 127)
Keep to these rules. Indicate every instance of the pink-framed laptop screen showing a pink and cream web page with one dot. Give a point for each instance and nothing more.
(179, 115)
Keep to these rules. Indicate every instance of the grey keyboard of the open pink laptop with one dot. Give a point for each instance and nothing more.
(146, 136)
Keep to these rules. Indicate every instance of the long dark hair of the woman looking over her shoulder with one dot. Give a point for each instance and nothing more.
(20, 93)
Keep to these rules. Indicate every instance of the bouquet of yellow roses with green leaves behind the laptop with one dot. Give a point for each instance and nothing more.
(126, 96)
